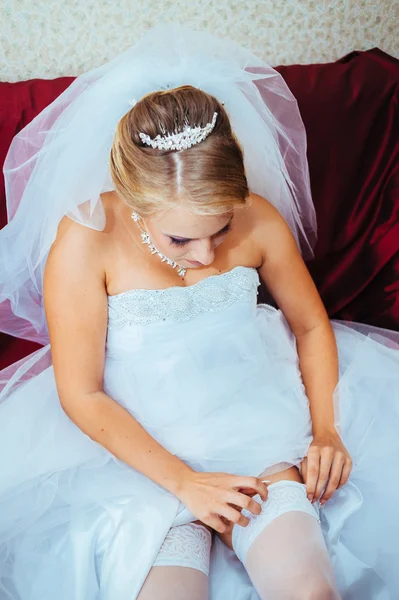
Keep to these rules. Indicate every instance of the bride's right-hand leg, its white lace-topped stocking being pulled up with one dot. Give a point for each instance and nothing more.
(283, 548)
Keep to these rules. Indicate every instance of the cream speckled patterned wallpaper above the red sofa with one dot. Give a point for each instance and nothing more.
(50, 38)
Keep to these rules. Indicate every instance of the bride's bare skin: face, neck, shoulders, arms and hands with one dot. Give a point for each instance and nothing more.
(96, 264)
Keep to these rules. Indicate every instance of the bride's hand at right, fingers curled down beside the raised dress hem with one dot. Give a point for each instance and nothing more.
(327, 461)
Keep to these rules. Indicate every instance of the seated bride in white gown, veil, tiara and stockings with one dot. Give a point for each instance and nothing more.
(174, 439)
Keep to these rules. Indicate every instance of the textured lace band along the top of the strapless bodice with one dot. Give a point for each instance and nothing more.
(214, 293)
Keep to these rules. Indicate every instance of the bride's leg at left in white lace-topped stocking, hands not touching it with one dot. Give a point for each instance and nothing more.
(181, 568)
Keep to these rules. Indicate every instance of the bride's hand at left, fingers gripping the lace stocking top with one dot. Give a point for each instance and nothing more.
(216, 499)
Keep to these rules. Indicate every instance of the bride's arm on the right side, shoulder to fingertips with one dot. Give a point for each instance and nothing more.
(284, 272)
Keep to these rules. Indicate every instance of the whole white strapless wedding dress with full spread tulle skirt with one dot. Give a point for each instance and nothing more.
(214, 377)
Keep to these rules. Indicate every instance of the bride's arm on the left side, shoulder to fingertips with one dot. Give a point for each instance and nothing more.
(75, 300)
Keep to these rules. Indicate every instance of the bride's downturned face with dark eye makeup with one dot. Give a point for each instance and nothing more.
(189, 239)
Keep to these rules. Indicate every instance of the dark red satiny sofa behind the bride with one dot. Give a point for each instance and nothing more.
(350, 110)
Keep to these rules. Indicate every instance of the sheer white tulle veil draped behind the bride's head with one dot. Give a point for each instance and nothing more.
(60, 160)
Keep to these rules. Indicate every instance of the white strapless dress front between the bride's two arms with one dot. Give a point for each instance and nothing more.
(182, 360)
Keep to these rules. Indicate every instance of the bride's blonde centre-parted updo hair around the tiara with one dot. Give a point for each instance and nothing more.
(209, 177)
